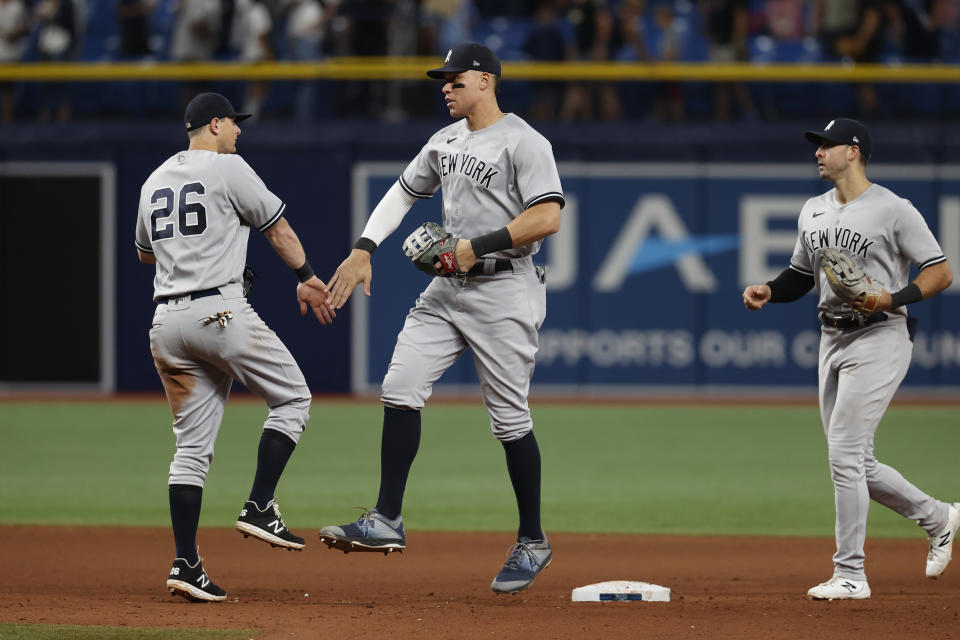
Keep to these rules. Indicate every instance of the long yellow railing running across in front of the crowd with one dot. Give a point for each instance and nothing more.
(414, 68)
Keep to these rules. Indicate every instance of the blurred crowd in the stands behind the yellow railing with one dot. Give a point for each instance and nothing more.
(760, 31)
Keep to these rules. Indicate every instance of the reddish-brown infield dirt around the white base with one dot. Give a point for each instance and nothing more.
(723, 587)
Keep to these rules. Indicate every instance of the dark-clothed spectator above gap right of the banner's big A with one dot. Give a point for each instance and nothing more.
(726, 24)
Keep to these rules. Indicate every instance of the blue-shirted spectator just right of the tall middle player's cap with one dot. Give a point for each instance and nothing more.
(550, 39)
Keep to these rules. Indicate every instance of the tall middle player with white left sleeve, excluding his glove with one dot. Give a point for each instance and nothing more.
(501, 197)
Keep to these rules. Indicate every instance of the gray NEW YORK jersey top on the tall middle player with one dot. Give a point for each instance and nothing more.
(489, 176)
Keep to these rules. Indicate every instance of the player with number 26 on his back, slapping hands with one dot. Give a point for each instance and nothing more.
(194, 220)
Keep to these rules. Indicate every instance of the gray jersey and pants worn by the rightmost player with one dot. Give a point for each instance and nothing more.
(861, 369)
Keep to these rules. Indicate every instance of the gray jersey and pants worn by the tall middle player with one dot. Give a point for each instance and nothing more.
(488, 177)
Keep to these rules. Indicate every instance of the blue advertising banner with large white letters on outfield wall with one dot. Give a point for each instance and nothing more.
(645, 279)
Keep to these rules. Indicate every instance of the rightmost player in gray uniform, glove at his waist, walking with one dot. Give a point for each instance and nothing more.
(855, 244)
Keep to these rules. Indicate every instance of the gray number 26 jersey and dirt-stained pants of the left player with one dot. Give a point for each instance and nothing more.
(195, 215)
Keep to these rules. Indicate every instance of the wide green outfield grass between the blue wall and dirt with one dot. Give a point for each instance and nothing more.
(617, 469)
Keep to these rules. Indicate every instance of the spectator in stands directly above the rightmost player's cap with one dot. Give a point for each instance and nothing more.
(853, 30)
